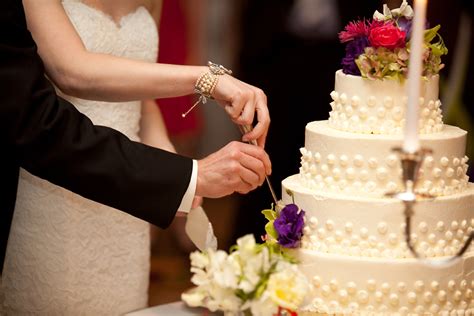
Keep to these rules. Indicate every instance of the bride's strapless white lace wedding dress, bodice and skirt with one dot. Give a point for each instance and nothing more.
(68, 255)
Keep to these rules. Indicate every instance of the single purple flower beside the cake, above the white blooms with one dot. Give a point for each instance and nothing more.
(289, 226)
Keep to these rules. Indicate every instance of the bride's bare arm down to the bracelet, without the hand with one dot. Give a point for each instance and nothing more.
(98, 76)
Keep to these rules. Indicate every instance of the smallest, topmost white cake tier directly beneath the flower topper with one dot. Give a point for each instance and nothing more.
(378, 106)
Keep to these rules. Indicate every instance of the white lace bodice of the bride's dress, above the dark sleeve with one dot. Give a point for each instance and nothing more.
(135, 36)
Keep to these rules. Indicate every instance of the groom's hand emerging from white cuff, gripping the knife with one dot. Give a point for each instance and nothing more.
(238, 167)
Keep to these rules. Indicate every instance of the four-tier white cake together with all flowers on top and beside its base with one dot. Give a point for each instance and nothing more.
(349, 242)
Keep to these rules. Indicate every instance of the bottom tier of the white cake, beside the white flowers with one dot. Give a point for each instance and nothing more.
(353, 286)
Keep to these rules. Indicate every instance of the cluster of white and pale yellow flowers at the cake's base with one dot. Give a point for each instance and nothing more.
(252, 279)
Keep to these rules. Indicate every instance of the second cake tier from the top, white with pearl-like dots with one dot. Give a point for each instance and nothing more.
(364, 164)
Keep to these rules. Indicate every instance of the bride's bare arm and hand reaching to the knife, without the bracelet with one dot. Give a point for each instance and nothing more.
(96, 76)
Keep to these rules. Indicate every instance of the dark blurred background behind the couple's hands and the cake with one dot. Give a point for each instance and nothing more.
(290, 49)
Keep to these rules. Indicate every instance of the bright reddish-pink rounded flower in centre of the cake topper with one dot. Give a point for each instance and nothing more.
(388, 36)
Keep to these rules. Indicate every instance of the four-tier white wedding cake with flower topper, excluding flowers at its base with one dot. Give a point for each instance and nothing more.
(353, 249)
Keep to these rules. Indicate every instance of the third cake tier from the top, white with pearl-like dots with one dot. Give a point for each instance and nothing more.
(375, 228)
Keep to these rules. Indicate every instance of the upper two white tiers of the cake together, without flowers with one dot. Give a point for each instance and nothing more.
(352, 152)
